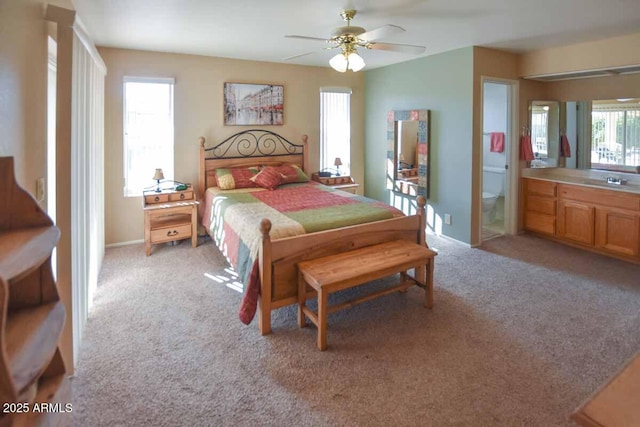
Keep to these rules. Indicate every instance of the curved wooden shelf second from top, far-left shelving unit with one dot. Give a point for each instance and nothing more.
(31, 339)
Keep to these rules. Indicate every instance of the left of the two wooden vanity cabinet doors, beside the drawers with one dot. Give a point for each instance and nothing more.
(576, 221)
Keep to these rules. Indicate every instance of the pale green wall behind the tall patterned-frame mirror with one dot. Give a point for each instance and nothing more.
(442, 83)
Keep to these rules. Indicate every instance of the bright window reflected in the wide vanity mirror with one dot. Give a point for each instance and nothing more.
(615, 135)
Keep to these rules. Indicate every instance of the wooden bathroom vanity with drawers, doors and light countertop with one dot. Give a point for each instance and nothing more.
(584, 210)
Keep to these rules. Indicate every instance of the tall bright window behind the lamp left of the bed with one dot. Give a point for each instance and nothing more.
(148, 132)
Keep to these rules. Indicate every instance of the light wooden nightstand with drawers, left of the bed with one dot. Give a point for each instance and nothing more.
(170, 216)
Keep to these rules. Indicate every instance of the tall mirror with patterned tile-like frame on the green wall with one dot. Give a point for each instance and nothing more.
(408, 152)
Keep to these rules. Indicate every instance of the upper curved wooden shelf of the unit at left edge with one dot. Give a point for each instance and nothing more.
(25, 250)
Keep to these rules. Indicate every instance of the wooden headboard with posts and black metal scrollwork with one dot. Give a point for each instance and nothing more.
(248, 148)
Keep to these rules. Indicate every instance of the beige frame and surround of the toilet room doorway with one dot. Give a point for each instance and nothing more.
(512, 161)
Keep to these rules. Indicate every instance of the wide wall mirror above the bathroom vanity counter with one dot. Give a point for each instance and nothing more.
(593, 134)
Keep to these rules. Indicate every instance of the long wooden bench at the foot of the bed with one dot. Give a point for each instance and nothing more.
(350, 269)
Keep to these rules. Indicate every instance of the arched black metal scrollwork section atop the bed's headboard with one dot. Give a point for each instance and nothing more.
(254, 143)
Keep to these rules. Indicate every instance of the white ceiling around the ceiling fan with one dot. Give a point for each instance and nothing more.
(254, 29)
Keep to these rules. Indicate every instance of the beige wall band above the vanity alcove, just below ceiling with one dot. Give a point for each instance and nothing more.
(601, 54)
